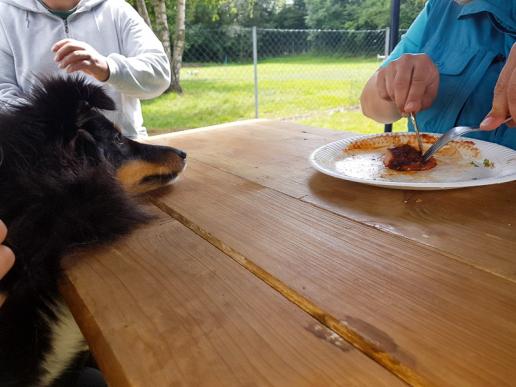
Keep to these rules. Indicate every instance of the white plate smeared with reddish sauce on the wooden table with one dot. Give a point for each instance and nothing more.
(459, 165)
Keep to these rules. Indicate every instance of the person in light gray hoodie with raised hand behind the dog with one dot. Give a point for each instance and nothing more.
(105, 39)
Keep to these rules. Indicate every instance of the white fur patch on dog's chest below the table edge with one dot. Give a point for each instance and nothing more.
(66, 341)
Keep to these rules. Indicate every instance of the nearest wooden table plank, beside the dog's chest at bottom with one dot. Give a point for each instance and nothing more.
(165, 308)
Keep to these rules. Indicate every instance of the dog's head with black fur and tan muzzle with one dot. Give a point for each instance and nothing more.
(63, 116)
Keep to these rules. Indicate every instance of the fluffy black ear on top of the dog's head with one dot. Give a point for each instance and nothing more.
(64, 103)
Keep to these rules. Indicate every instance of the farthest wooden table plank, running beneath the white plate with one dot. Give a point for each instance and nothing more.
(275, 154)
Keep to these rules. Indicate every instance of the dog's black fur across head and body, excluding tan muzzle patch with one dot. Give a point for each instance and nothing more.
(59, 158)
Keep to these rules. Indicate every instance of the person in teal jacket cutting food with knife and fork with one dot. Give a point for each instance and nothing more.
(456, 65)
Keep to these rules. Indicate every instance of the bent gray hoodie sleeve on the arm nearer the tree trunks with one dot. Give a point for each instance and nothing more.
(142, 70)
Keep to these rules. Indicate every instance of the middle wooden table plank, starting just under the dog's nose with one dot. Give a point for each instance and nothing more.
(430, 319)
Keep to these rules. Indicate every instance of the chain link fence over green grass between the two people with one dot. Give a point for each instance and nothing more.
(310, 76)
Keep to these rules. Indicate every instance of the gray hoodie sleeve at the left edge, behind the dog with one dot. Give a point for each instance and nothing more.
(9, 91)
